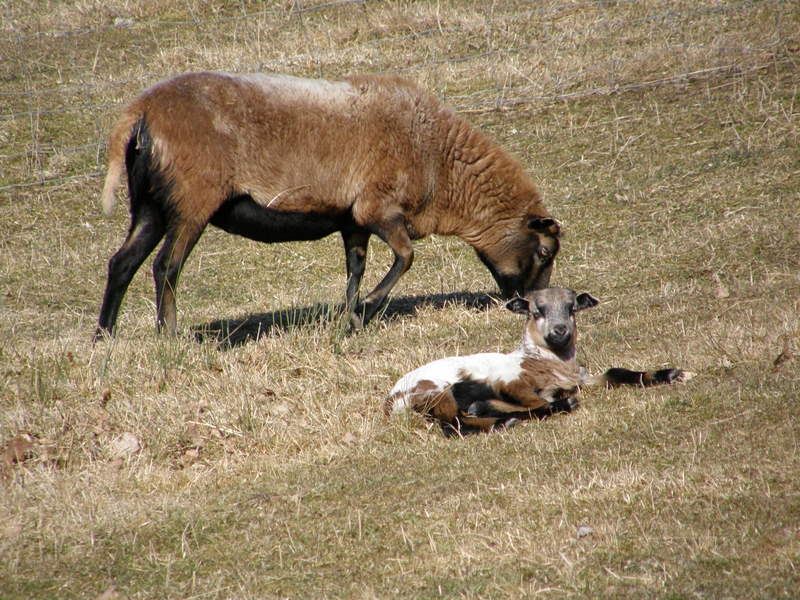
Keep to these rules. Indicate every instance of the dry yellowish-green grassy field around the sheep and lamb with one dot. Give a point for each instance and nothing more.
(249, 458)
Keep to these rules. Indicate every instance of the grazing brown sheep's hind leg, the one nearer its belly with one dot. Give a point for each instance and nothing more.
(166, 270)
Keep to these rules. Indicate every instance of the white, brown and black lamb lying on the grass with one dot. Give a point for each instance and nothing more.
(486, 392)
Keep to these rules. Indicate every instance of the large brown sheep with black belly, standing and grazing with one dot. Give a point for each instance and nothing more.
(276, 158)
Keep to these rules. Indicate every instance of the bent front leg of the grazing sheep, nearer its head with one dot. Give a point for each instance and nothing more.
(393, 232)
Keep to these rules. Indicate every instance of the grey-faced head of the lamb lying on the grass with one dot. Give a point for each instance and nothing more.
(550, 327)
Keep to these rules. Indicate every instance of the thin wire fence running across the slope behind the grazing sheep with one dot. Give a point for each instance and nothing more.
(65, 74)
